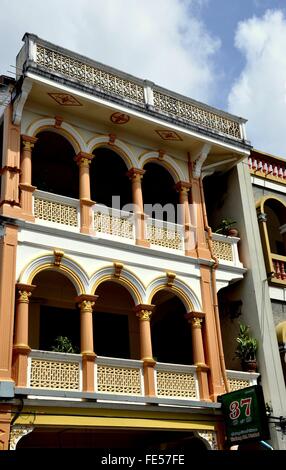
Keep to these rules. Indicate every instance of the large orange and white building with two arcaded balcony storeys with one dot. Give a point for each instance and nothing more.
(145, 368)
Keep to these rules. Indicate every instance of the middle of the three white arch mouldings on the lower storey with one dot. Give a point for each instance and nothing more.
(127, 279)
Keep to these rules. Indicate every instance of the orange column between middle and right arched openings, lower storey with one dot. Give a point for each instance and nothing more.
(144, 312)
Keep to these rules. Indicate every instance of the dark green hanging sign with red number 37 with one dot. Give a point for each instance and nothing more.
(245, 415)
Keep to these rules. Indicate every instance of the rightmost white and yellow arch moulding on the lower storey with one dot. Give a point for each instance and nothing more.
(179, 288)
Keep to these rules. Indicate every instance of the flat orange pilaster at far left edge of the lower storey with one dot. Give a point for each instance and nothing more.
(8, 248)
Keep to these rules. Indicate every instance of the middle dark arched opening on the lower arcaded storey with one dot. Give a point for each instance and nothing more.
(115, 326)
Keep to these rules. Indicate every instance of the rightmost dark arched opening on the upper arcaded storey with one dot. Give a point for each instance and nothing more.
(158, 187)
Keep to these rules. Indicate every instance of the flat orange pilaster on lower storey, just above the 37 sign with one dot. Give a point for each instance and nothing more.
(211, 335)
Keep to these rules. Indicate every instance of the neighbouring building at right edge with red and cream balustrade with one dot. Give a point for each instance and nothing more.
(268, 177)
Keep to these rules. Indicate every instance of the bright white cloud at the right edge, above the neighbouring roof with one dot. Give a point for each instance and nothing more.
(260, 92)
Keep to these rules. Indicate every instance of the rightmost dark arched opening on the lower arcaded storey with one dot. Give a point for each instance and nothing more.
(171, 334)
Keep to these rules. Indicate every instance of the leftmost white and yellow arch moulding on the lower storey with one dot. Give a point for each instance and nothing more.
(68, 267)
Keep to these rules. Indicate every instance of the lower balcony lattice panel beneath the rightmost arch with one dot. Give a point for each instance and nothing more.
(176, 384)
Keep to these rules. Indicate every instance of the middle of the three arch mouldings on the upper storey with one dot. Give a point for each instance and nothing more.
(117, 146)
